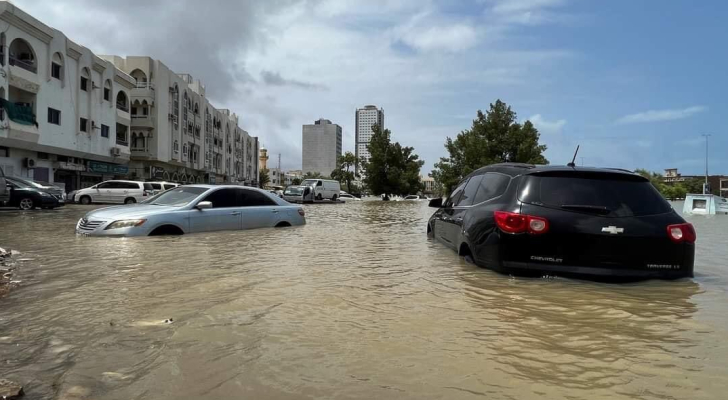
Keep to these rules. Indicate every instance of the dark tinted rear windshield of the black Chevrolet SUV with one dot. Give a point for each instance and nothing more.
(611, 195)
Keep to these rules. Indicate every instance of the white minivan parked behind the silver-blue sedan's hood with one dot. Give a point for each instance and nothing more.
(126, 192)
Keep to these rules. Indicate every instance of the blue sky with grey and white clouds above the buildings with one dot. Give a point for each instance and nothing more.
(634, 83)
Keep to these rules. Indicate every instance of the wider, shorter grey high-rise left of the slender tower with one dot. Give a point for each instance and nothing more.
(321, 147)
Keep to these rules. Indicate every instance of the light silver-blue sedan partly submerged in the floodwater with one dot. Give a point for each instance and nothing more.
(191, 209)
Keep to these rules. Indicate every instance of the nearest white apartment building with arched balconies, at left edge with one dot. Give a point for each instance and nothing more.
(65, 111)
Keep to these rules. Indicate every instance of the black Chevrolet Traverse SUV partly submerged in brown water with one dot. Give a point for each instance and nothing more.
(568, 221)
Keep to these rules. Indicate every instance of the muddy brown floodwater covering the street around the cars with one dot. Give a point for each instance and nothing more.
(357, 304)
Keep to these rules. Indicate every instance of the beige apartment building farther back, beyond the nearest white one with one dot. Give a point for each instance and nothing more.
(177, 134)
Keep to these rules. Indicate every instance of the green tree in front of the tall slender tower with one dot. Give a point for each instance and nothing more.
(391, 168)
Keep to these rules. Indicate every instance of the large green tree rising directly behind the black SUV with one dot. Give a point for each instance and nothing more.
(495, 137)
